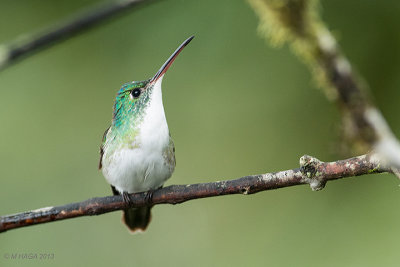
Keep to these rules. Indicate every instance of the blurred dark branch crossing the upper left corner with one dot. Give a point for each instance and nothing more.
(28, 45)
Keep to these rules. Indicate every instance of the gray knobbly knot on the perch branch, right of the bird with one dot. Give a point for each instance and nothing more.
(309, 168)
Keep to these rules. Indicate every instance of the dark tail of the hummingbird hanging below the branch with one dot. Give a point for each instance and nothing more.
(137, 219)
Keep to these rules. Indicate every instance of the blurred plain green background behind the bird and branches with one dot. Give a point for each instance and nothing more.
(235, 106)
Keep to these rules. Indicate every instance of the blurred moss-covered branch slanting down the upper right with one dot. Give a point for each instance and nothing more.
(298, 22)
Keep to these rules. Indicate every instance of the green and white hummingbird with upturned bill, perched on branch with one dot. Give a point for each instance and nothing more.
(137, 153)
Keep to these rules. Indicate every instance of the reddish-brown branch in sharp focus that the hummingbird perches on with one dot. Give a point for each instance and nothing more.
(312, 171)
